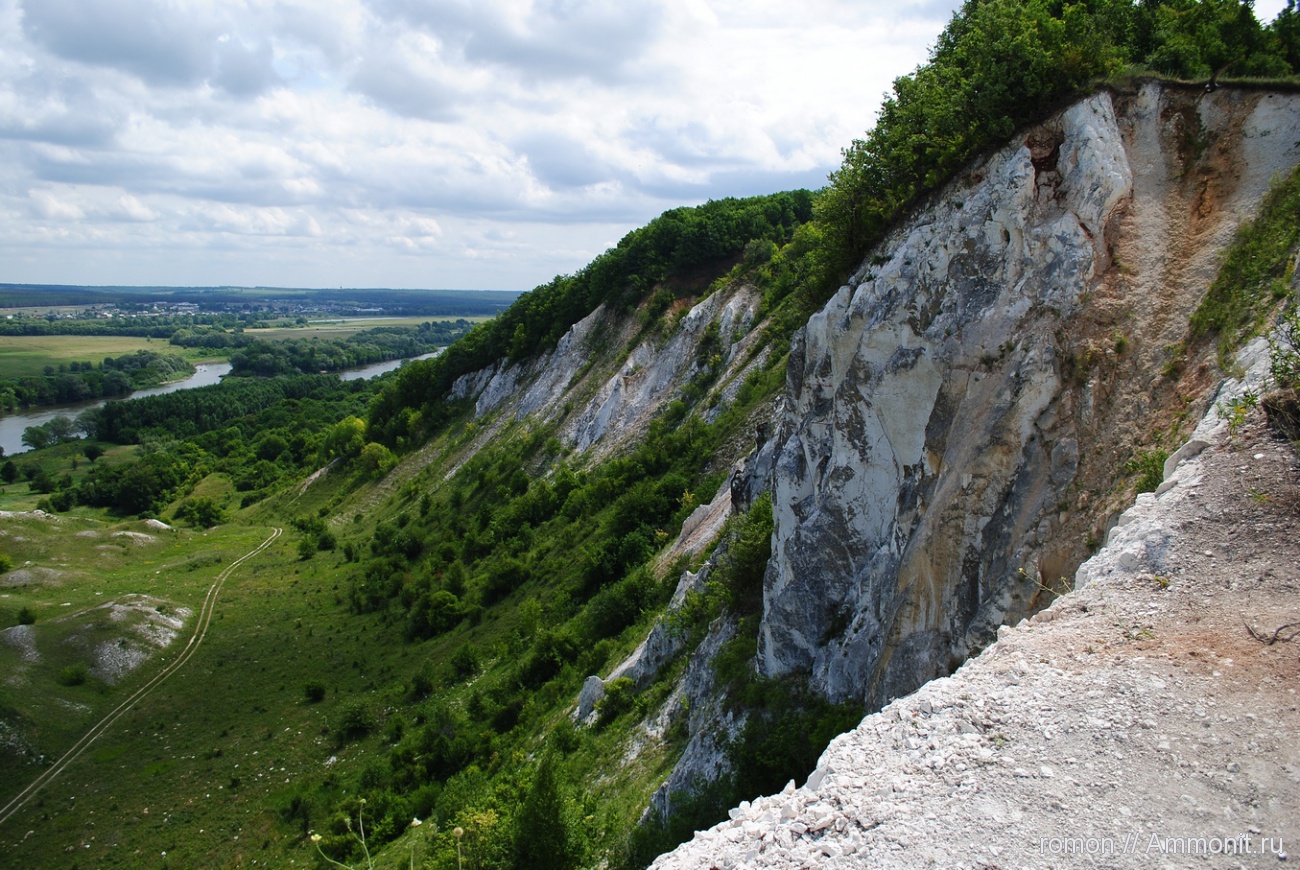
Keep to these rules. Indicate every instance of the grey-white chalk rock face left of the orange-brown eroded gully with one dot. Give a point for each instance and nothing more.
(912, 456)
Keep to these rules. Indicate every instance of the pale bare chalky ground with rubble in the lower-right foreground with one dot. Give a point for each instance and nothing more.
(1136, 724)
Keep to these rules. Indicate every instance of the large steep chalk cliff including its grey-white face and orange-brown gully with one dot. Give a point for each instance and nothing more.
(965, 418)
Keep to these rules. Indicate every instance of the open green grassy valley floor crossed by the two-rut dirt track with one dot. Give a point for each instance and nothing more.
(197, 768)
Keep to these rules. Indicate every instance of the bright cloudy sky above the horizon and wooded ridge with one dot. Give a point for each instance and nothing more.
(414, 144)
